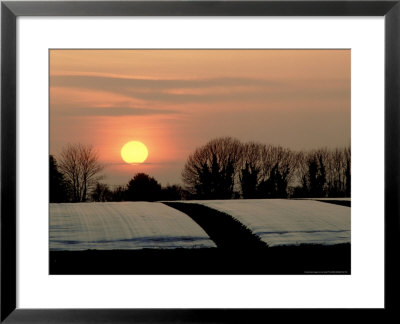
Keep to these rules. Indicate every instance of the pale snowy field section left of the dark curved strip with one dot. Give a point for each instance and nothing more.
(122, 225)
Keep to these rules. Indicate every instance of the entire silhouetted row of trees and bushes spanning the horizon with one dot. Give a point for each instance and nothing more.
(223, 168)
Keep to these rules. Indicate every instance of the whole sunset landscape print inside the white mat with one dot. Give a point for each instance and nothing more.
(200, 161)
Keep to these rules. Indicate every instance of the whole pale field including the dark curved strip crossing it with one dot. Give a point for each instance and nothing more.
(196, 224)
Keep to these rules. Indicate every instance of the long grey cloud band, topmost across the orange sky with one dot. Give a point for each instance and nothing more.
(157, 89)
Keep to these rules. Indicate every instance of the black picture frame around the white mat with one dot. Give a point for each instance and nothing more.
(10, 10)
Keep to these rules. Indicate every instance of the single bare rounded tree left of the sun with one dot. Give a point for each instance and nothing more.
(81, 168)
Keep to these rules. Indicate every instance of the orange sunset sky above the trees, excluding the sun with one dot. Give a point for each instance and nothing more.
(176, 100)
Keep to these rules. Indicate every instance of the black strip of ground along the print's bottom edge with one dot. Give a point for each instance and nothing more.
(304, 259)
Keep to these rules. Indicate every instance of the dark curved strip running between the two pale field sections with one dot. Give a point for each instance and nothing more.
(223, 229)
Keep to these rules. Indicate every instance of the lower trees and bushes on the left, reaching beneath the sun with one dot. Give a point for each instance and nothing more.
(75, 178)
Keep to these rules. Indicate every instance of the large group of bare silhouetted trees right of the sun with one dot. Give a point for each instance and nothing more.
(225, 168)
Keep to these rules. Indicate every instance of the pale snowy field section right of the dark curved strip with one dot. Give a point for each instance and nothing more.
(289, 222)
